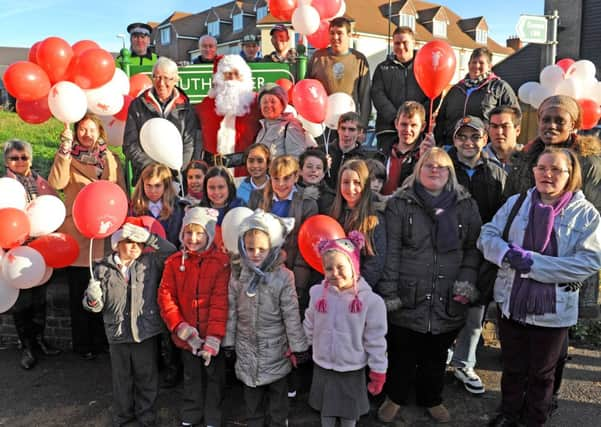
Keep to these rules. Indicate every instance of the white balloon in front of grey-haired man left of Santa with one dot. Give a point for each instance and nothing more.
(162, 141)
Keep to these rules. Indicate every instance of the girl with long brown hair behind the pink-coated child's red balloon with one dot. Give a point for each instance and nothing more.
(357, 208)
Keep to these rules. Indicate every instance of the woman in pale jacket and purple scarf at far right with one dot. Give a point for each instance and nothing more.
(554, 242)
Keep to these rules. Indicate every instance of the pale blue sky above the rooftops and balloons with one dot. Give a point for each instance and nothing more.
(23, 22)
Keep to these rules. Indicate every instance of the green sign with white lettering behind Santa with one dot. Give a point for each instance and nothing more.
(195, 80)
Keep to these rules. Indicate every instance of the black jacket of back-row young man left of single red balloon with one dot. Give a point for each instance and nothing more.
(393, 84)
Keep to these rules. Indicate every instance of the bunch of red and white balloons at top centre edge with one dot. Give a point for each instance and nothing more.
(309, 17)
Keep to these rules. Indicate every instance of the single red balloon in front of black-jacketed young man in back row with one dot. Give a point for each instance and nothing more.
(434, 66)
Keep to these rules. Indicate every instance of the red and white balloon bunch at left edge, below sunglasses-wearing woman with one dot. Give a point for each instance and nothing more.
(27, 232)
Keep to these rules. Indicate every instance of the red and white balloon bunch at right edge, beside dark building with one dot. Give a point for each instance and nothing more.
(567, 77)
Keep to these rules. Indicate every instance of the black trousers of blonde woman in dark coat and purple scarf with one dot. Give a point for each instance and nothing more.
(416, 359)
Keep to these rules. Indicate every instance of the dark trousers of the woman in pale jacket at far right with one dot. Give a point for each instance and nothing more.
(530, 356)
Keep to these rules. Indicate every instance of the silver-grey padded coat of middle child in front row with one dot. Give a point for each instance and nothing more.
(264, 327)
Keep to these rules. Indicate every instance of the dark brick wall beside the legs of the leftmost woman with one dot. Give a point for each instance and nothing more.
(58, 322)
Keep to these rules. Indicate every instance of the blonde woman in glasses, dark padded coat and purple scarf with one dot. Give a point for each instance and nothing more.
(432, 224)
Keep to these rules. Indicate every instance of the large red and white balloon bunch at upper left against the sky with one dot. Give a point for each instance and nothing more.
(65, 81)
